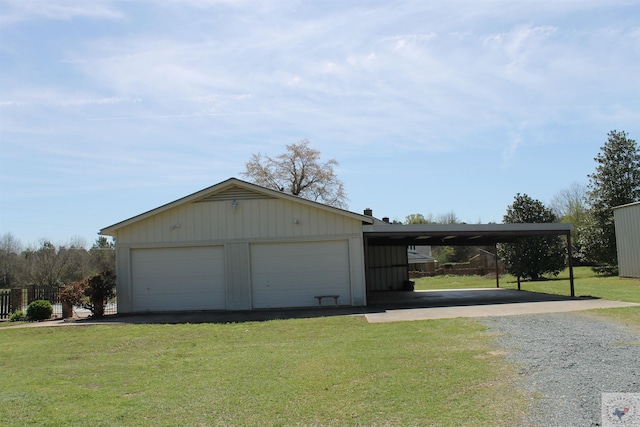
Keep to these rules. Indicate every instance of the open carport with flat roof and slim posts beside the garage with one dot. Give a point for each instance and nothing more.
(385, 243)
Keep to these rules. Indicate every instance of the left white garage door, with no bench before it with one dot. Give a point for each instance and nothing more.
(170, 279)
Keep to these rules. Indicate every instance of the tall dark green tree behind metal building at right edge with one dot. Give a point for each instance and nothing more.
(615, 182)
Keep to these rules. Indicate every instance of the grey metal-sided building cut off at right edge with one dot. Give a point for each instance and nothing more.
(627, 224)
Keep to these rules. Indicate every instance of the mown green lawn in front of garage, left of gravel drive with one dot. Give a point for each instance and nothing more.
(326, 371)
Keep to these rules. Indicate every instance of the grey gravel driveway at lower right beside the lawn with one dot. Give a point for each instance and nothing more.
(567, 360)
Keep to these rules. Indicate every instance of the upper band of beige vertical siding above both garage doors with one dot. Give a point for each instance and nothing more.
(263, 219)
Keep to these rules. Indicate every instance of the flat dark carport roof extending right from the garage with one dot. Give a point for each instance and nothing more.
(458, 234)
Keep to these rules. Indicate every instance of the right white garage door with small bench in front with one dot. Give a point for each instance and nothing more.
(291, 274)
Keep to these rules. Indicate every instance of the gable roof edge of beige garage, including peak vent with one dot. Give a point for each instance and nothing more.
(231, 189)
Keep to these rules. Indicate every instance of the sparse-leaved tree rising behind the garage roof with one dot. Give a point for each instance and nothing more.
(300, 172)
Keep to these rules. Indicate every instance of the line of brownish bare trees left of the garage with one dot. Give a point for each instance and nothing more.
(51, 264)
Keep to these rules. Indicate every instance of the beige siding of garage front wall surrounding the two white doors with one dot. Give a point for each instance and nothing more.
(217, 223)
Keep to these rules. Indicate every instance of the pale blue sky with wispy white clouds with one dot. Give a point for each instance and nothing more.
(112, 108)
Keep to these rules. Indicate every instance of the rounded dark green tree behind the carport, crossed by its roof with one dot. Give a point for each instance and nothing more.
(532, 257)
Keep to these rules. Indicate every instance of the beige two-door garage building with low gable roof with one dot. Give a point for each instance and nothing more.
(239, 246)
